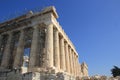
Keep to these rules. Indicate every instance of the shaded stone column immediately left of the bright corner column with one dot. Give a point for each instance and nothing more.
(34, 48)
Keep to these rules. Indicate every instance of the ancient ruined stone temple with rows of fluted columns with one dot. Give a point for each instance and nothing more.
(36, 43)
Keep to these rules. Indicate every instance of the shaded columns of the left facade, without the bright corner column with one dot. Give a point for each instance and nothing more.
(20, 50)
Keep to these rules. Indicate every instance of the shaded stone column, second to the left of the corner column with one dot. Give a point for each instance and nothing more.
(19, 52)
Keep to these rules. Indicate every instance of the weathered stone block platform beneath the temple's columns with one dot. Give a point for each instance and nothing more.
(16, 75)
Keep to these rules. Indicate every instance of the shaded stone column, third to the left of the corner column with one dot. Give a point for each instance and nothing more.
(6, 55)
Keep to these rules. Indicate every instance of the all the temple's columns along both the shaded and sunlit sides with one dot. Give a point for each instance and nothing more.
(58, 52)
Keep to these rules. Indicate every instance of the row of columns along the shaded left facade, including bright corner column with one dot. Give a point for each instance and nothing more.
(34, 49)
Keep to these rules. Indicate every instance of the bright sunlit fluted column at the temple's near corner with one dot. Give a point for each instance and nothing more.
(49, 46)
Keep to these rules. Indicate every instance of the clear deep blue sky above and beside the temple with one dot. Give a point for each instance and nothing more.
(92, 25)
